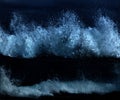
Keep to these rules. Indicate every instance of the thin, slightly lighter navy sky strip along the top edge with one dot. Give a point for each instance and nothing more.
(52, 3)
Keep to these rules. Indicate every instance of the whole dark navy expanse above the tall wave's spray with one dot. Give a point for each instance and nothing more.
(45, 8)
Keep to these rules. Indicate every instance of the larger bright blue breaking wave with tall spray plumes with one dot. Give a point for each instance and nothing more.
(69, 38)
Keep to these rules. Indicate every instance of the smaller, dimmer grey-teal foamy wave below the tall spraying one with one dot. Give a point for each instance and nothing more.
(49, 87)
